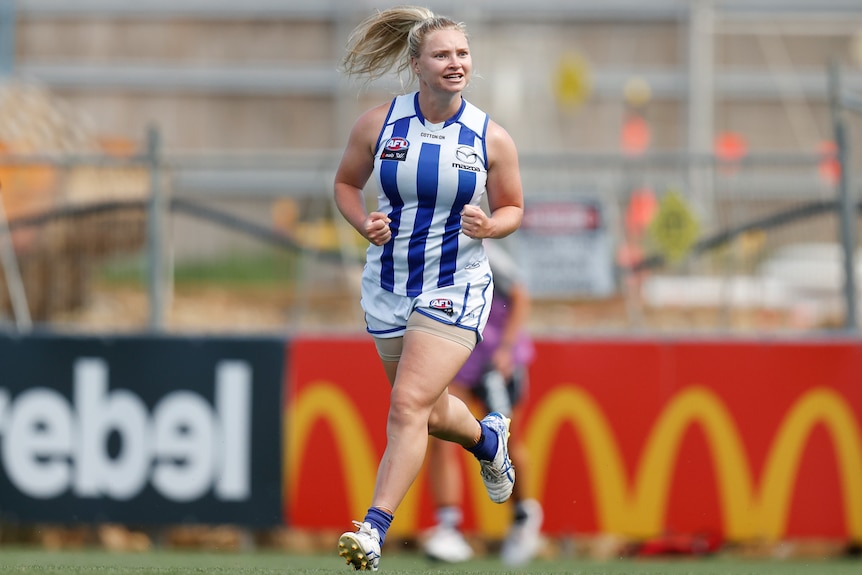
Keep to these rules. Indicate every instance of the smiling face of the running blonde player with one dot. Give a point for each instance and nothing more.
(445, 62)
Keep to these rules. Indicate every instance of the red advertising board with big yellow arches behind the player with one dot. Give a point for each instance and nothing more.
(741, 439)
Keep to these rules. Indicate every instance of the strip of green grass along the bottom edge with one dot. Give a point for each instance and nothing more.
(21, 560)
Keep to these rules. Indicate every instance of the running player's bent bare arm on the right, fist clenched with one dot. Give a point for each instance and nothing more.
(505, 193)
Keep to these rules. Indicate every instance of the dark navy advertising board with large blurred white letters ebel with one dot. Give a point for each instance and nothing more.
(141, 430)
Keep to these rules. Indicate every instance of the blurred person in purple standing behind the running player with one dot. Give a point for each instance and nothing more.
(496, 376)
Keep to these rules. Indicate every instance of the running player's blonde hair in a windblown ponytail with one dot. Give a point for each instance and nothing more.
(389, 38)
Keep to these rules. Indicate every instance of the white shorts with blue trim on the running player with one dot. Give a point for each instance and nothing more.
(465, 304)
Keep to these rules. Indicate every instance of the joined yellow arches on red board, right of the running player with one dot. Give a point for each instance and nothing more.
(639, 509)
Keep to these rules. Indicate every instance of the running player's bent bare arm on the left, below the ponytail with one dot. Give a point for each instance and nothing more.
(356, 166)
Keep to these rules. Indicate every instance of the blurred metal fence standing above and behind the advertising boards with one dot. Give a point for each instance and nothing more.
(253, 242)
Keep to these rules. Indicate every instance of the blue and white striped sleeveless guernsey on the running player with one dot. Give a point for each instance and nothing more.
(426, 174)
